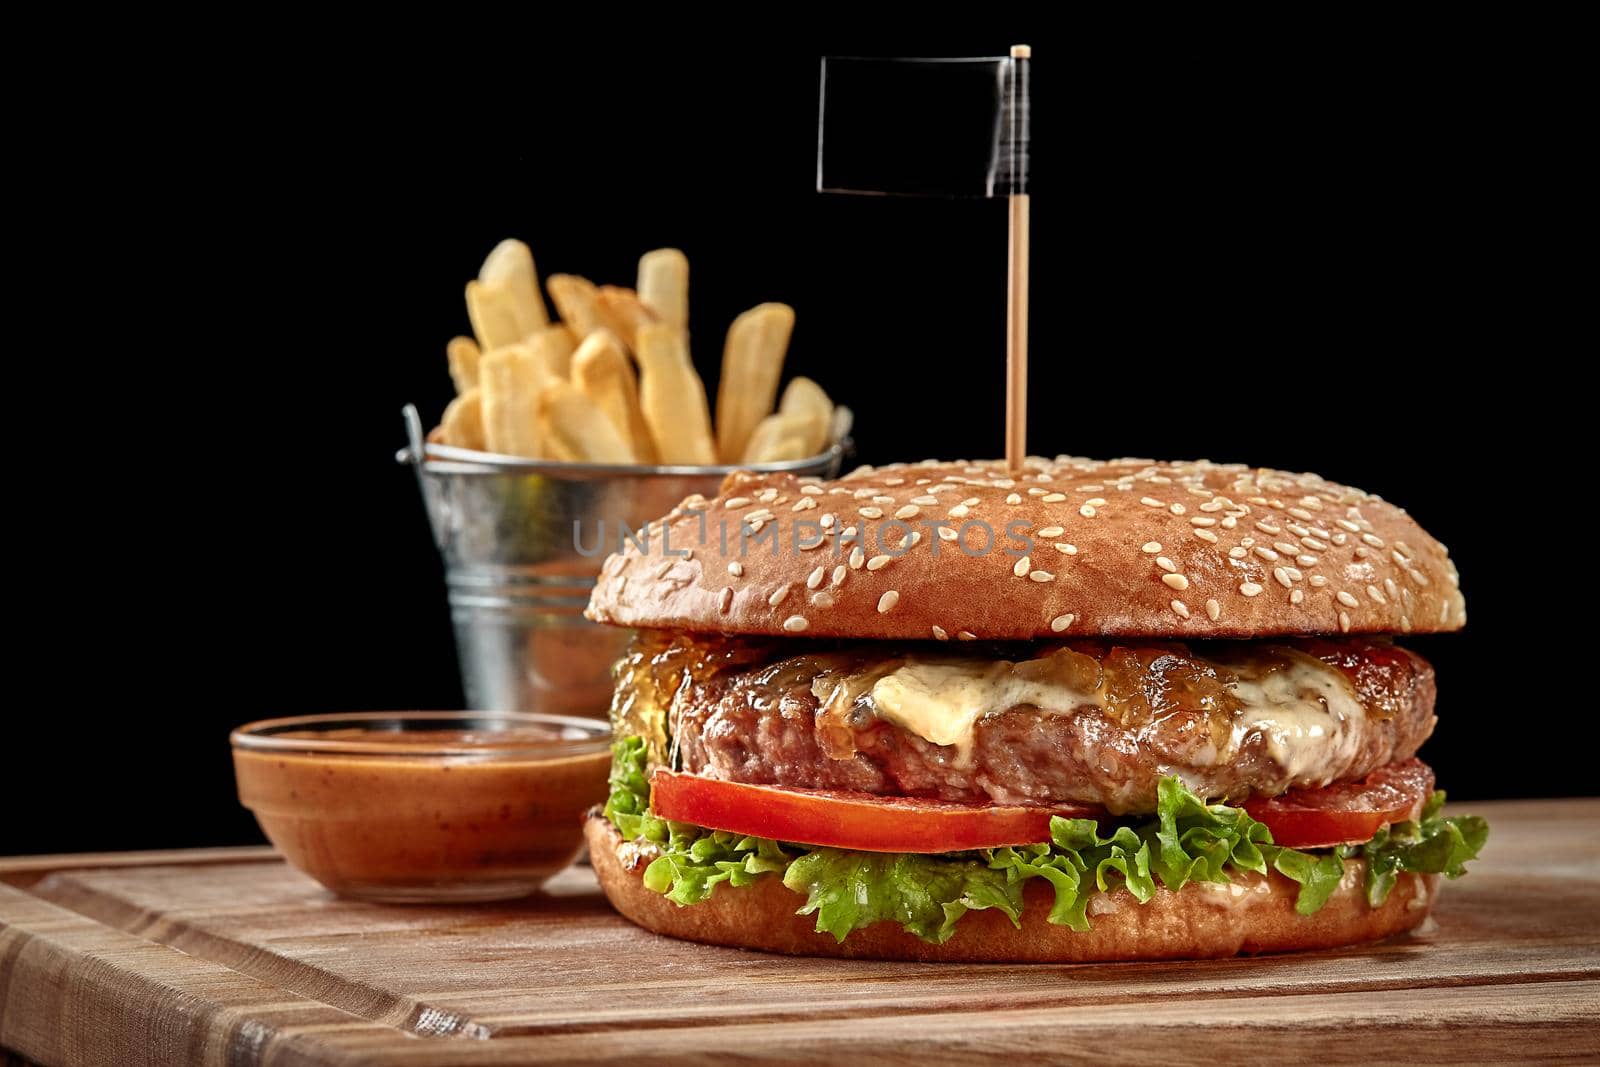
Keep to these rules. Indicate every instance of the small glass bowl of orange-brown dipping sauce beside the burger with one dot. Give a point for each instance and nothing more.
(425, 805)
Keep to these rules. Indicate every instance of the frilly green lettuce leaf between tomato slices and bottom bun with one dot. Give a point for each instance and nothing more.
(1188, 841)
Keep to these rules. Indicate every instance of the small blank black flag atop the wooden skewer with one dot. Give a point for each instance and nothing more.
(924, 127)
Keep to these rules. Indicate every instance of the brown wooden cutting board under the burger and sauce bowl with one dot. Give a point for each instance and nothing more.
(230, 957)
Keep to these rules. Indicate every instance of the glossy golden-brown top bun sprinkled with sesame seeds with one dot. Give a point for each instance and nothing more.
(1124, 548)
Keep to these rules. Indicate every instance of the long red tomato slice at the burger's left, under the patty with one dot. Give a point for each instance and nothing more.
(860, 821)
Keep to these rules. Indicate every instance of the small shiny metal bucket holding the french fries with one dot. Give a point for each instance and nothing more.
(518, 580)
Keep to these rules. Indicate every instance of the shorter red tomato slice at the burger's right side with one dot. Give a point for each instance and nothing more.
(1346, 813)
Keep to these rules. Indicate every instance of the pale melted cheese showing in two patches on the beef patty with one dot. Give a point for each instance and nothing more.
(1305, 711)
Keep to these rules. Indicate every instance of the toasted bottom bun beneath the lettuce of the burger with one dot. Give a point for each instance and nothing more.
(1252, 914)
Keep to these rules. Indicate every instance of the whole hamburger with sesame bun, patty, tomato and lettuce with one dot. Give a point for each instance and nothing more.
(1092, 711)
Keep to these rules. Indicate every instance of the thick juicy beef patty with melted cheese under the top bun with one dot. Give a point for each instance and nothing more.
(1087, 722)
